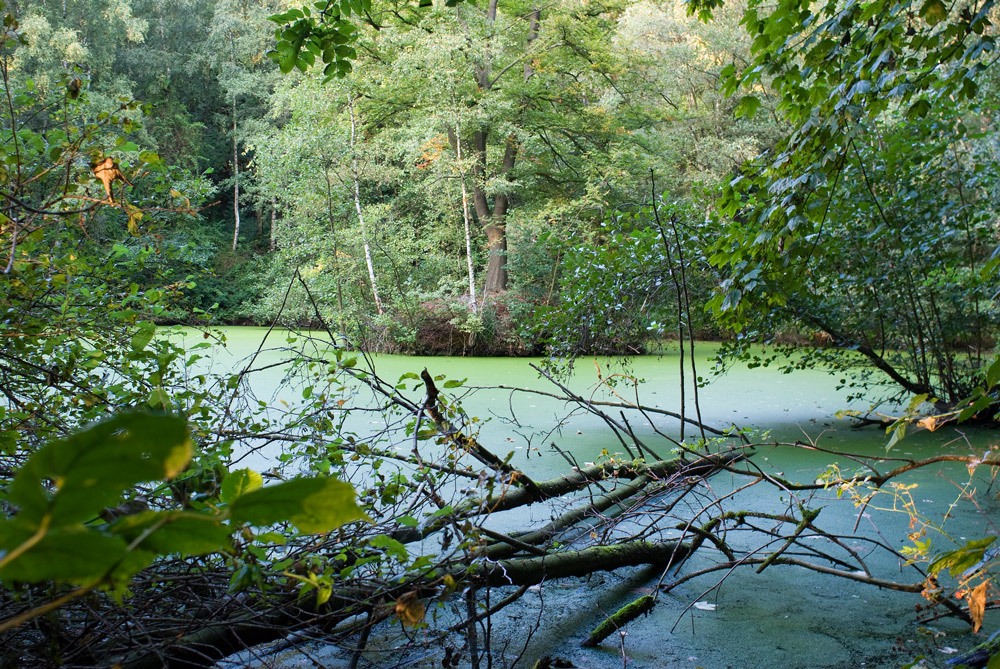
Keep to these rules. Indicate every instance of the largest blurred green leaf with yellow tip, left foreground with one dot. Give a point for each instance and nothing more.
(90, 469)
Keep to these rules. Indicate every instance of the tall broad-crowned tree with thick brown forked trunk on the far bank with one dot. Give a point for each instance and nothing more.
(546, 104)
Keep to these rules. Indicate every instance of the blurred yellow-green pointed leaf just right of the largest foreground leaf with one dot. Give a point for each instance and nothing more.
(311, 504)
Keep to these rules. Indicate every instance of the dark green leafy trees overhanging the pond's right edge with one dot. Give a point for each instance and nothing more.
(872, 222)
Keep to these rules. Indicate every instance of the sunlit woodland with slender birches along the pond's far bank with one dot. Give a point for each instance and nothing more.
(565, 124)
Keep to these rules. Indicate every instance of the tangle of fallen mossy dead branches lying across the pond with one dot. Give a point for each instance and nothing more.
(462, 529)
